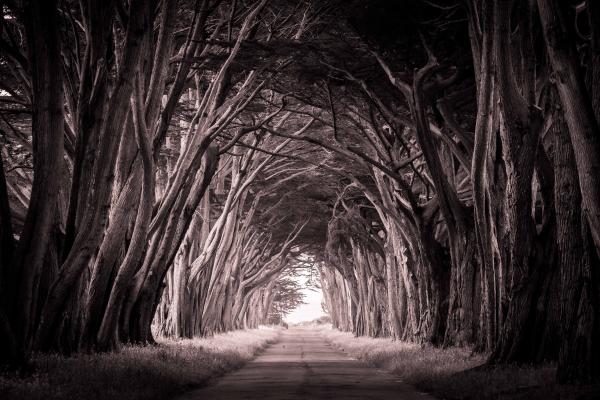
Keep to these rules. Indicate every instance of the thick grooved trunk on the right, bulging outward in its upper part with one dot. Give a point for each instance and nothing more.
(519, 131)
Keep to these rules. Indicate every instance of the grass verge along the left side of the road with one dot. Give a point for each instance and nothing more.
(137, 373)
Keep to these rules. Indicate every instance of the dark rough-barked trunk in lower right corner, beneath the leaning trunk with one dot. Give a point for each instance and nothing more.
(579, 355)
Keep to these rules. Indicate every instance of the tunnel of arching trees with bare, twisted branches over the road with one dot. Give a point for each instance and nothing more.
(169, 166)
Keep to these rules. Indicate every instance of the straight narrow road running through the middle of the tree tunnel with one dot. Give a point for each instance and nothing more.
(302, 365)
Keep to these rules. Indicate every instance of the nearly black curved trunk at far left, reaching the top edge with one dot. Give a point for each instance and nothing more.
(47, 130)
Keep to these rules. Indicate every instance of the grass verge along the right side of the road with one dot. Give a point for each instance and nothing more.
(456, 373)
